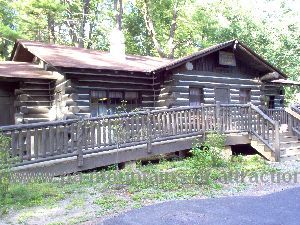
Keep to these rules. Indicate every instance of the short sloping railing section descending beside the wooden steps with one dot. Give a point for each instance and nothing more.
(265, 129)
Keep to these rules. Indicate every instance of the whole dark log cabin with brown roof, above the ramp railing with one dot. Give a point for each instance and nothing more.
(45, 82)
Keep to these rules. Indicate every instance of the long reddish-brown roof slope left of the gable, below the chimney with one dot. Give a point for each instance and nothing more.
(73, 57)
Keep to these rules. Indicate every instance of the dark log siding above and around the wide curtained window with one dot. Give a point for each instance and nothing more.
(84, 82)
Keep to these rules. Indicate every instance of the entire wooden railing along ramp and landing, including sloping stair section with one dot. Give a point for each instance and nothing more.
(39, 142)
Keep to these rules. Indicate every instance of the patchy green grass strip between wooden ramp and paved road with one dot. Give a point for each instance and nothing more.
(127, 190)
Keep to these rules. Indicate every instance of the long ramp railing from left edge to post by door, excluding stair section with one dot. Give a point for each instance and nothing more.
(39, 142)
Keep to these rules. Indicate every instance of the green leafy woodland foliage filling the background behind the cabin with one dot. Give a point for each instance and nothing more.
(273, 33)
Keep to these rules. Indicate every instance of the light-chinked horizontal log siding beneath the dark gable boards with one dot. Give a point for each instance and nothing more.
(175, 90)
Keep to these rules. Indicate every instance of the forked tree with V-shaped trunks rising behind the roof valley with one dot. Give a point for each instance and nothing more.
(163, 27)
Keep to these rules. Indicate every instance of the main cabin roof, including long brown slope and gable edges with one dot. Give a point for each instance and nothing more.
(73, 57)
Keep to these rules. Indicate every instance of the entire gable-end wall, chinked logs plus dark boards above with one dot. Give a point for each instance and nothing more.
(208, 74)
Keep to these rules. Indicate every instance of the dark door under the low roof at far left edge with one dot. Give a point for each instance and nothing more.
(6, 106)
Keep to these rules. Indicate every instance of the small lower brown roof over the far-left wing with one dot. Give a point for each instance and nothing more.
(23, 70)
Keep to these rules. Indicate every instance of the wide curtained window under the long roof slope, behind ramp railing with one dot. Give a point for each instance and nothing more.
(109, 102)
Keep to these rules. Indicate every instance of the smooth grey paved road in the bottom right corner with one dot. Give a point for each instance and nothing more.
(281, 208)
